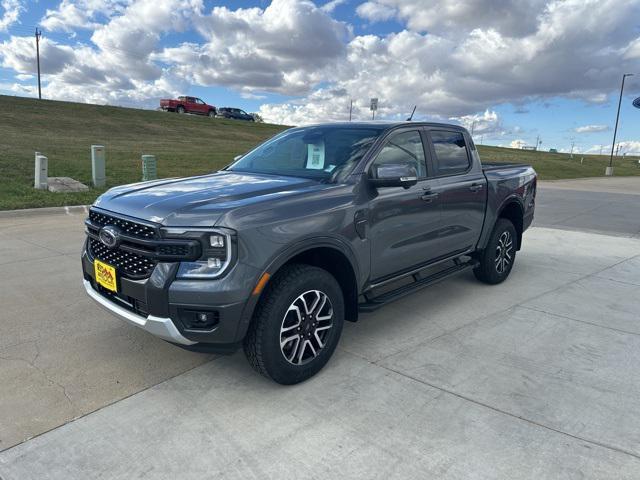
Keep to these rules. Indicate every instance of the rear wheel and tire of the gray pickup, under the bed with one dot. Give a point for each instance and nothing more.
(497, 259)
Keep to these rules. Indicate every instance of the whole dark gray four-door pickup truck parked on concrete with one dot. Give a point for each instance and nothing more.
(309, 229)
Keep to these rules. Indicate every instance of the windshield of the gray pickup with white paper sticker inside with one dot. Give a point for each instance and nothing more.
(326, 153)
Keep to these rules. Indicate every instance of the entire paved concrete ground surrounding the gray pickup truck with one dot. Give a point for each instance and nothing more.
(535, 378)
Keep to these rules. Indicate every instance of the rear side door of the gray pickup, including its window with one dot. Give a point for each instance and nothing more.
(462, 187)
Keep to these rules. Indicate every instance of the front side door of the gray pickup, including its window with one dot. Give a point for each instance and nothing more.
(404, 223)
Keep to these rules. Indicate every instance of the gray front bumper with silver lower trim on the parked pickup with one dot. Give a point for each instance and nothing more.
(158, 304)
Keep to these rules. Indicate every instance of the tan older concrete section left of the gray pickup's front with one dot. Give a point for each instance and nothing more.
(60, 356)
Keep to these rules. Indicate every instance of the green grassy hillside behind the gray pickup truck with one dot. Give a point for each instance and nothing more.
(184, 145)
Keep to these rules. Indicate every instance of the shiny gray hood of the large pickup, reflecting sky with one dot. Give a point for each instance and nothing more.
(199, 201)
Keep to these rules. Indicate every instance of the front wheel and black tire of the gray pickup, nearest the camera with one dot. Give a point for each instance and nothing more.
(297, 324)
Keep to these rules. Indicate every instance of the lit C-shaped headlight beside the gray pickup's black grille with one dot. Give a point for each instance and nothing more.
(217, 252)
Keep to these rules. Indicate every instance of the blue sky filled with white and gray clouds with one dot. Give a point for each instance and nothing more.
(514, 70)
